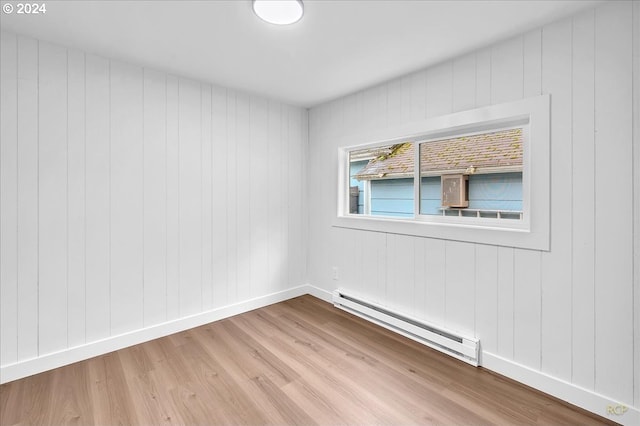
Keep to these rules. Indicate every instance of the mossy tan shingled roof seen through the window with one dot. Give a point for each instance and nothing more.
(481, 153)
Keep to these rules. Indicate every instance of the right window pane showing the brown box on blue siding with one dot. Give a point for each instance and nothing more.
(473, 176)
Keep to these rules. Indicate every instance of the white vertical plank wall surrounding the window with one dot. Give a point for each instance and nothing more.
(567, 313)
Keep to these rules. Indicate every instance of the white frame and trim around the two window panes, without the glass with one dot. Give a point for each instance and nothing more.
(530, 232)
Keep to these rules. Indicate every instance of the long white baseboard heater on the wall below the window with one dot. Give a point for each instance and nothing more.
(463, 348)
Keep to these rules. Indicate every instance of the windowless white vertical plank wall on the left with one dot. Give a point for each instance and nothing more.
(130, 198)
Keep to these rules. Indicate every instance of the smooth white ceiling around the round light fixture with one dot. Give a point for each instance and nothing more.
(338, 47)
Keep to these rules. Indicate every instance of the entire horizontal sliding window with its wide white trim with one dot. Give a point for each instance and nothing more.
(479, 176)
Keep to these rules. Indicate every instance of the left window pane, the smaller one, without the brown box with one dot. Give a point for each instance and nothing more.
(381, 180)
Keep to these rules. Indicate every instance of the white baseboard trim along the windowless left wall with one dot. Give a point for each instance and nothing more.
(68, 356)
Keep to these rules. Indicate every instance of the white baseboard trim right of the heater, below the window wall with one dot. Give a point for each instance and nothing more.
(576, 395)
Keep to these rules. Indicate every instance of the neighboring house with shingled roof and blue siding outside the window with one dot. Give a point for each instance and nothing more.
(492, 161)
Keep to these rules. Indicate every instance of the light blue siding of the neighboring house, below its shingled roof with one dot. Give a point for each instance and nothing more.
(394, 197)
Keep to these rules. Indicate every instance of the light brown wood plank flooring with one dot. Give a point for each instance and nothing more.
(297, 362)
